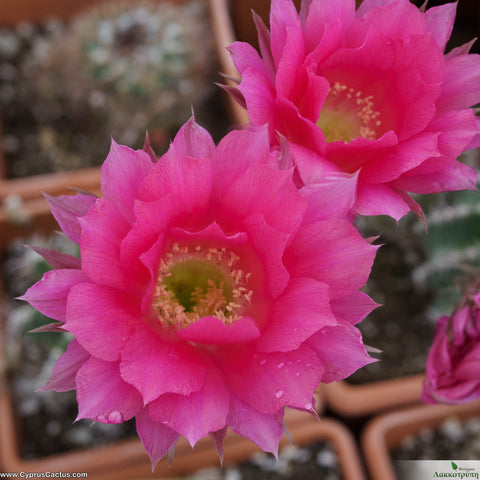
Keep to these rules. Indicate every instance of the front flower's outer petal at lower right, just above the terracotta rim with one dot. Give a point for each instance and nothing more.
(341, 351)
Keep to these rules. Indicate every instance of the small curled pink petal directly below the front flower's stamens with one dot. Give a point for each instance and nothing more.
(212, 331)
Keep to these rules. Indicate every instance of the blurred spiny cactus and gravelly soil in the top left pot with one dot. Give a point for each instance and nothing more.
(117, 70)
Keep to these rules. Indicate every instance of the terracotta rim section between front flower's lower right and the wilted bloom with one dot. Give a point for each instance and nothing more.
(359, 400)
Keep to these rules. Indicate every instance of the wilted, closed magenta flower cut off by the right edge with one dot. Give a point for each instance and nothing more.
(454, 359)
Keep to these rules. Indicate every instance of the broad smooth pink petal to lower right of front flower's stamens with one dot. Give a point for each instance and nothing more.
(294, 319)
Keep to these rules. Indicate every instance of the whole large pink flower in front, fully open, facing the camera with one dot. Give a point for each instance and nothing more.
(208, 295)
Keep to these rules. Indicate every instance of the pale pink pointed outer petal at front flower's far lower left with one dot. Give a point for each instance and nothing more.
(65, 370)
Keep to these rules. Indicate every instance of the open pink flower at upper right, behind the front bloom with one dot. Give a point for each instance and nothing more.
(367, 91)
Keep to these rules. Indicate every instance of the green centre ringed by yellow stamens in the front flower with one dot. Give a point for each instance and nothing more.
(198, 282)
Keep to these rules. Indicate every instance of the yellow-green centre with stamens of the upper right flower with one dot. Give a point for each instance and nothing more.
(348, 114)
